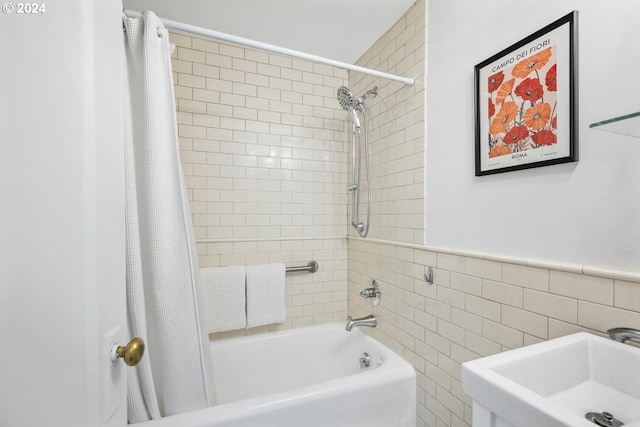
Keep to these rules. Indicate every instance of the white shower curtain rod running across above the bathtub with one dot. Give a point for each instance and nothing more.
(191, 29)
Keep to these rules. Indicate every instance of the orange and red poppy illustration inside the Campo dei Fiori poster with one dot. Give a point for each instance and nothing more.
(523, 104)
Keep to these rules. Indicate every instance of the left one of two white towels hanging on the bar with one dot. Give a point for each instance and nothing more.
(223, 289)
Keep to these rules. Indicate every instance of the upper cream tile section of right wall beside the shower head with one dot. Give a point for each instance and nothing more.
(397, 129)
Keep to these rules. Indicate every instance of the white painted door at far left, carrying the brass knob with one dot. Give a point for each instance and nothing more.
(61, 246)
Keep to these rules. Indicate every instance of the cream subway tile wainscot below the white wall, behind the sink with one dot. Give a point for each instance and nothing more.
(476, 307)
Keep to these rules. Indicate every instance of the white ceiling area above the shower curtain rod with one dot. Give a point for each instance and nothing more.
(341, 30)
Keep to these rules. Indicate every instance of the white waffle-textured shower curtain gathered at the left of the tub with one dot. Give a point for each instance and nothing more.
(163, 301)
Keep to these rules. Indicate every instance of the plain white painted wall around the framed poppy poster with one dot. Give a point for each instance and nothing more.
(583, 213)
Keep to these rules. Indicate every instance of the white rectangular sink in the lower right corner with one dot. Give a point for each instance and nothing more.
(555, 383)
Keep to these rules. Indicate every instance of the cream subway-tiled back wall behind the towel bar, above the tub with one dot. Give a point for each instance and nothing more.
(263, 144)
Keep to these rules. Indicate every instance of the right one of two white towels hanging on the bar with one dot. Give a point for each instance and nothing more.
(265, 294)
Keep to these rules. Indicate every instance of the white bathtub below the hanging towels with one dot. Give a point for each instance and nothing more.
(309, 377)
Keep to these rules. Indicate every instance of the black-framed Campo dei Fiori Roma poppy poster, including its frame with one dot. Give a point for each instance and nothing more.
(526, 101)
